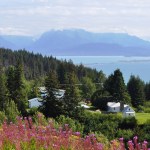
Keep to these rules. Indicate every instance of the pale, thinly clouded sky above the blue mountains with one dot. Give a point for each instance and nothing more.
(33, 17)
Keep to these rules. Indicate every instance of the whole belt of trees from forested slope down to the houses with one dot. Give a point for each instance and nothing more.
(22, 71)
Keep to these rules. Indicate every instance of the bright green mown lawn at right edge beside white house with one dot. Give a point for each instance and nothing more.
(142, 117)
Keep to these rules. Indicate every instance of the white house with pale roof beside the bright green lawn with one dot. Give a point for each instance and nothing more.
(115, 107)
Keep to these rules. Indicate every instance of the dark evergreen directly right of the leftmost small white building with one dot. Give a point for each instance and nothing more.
(52, 106)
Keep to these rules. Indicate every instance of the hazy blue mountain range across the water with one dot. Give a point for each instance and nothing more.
(79, 42)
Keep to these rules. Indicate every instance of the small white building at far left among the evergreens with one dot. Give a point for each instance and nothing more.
(35, 102)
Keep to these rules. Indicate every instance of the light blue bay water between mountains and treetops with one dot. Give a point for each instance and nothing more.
(138, 66)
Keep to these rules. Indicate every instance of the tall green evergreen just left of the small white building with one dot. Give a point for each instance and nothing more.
(16, 87)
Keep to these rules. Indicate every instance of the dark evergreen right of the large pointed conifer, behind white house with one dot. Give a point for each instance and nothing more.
(135, 87)
